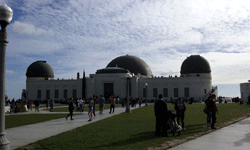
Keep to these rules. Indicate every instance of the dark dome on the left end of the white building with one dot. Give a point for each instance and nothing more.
(40, 69)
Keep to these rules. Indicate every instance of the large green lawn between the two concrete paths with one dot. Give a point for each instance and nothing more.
(136, 130)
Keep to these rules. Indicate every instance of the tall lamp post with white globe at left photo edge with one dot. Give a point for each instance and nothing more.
(6, 14)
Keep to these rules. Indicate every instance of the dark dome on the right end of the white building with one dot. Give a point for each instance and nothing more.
(195, 64)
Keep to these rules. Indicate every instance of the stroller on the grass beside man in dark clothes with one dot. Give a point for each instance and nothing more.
(172, 124)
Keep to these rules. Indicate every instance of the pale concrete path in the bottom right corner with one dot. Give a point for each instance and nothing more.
(232, 137)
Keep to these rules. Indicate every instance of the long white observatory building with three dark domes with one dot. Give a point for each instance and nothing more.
(194, 82)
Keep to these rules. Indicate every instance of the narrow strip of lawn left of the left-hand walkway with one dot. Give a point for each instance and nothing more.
(12, 121)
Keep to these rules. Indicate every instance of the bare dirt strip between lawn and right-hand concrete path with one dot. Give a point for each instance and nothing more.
(173, 143)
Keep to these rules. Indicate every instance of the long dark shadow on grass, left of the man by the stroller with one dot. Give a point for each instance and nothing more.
(143, 136)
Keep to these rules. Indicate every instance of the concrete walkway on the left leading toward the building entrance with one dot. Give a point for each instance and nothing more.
(24, 135)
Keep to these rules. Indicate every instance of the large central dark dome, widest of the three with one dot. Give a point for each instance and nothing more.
(133, 64)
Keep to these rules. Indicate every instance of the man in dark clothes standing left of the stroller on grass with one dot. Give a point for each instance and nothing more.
(161, 114)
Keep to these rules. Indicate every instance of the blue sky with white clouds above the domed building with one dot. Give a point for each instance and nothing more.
(77, 35)
